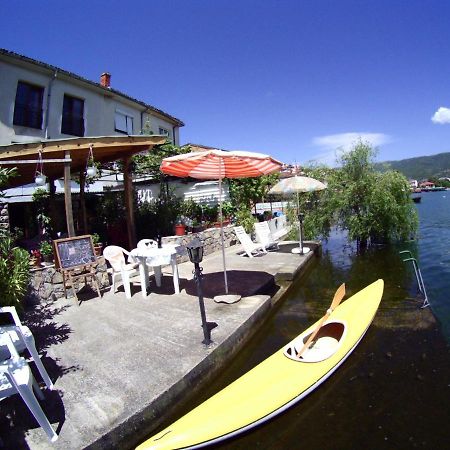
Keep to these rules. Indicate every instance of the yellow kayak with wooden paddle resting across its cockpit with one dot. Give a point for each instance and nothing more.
(279, 381)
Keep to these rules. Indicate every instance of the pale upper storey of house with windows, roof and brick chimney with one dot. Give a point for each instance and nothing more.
(41, 101)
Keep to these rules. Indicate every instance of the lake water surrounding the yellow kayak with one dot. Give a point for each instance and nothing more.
(393, 392)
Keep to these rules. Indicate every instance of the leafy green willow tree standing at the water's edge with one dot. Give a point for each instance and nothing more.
(371, 206)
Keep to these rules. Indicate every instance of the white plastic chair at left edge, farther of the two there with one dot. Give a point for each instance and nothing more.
(23, 338)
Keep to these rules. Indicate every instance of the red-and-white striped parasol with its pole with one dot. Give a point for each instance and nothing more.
(216, 165)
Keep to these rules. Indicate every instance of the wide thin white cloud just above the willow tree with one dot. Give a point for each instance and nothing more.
(334, 144)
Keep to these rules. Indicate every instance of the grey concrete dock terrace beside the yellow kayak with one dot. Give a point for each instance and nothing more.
(121, 365)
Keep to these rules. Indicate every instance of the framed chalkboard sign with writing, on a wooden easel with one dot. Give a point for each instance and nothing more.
(74, 252)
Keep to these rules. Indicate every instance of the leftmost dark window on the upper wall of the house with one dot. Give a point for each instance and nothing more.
(28, 106)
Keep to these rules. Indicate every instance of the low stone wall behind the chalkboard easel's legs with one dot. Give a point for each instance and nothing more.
(46, 283)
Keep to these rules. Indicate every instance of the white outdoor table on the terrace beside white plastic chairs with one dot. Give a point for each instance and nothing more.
(156, 257)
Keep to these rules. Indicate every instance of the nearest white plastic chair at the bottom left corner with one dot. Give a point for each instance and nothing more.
(16, 378)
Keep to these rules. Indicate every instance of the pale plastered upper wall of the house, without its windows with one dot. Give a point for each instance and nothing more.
(99, 105)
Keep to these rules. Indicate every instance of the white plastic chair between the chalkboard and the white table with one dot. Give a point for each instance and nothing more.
(121, 268)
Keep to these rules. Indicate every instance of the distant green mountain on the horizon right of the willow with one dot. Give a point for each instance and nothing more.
(420, 167)
